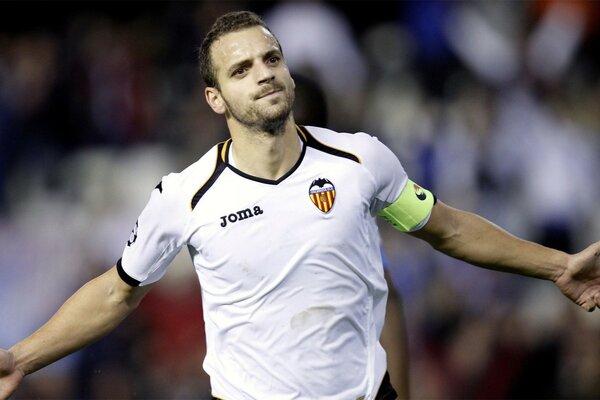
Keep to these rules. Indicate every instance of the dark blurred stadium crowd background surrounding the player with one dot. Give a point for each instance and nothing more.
(494, 106)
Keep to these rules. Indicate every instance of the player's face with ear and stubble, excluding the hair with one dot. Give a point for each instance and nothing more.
(255, 86)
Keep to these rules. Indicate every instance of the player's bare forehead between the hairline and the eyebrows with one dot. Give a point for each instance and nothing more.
(241, 45)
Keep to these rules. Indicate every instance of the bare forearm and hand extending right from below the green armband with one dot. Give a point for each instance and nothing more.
(473, 239)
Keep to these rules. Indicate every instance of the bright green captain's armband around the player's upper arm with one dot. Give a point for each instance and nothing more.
(411, 210)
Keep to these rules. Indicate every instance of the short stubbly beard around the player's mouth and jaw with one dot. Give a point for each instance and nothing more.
(270, 119)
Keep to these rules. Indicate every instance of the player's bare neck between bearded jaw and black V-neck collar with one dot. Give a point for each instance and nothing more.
(265, 155)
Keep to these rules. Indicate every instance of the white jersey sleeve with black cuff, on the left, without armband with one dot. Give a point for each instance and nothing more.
(156, 237)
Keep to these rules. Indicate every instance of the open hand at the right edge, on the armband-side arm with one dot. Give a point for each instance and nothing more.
(581, 279)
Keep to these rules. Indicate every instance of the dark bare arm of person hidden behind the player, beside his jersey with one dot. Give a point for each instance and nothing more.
(394, 340)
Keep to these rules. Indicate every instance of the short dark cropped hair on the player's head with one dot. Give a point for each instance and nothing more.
(226, 23)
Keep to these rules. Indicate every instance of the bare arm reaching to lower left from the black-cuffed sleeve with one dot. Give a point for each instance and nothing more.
(92, 312)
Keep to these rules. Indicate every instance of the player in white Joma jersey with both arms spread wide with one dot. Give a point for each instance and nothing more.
(280, 223)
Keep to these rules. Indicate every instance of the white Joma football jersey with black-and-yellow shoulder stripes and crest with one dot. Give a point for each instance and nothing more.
(291, 274)
